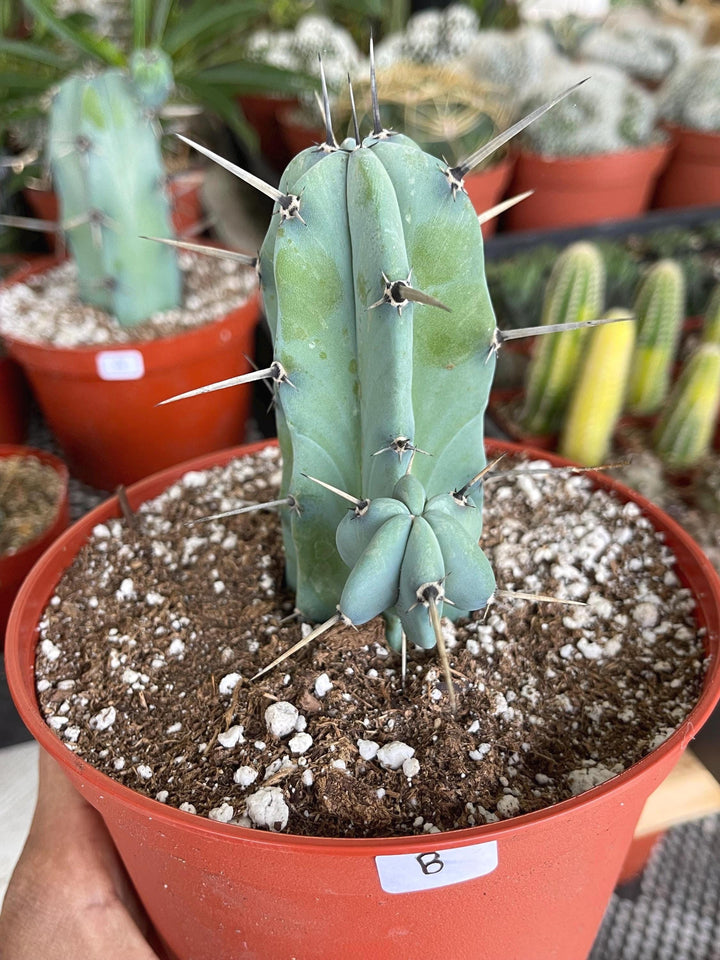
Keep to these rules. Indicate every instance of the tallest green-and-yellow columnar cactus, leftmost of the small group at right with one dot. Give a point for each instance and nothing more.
(575, 293)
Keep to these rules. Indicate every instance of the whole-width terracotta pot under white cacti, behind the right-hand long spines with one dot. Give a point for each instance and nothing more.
(570, 191)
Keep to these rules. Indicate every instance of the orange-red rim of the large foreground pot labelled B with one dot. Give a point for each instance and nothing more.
(22, 687)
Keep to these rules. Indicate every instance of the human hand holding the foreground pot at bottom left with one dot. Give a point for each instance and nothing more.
(69, 895)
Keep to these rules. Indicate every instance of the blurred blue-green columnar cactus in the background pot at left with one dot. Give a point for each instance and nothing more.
(104, 152)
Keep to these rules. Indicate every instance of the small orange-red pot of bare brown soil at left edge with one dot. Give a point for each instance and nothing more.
(15, 567)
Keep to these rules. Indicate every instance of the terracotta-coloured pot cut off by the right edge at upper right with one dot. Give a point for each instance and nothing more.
(692, 177)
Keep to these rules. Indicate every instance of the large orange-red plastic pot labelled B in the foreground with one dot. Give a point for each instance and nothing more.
(532, 887)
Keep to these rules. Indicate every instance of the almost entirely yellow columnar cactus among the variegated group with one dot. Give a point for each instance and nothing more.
(597, 397)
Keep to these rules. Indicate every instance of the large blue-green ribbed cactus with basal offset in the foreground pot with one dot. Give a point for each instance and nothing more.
(374, 287)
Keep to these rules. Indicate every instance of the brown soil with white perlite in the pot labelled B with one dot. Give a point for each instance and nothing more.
(148, 647)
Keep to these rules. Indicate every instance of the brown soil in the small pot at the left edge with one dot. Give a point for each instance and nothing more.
(30, 494)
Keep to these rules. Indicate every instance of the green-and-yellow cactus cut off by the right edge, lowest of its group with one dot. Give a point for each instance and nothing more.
(684, 432)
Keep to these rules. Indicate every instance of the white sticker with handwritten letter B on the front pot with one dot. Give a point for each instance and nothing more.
(407, 872)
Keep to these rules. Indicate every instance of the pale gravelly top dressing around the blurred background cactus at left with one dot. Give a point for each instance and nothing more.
(46, 308)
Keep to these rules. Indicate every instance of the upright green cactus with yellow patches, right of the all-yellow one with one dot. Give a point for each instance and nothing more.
(660, 310)
